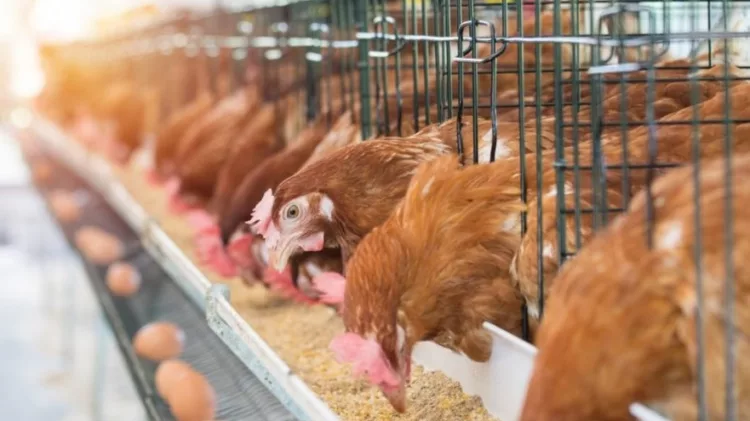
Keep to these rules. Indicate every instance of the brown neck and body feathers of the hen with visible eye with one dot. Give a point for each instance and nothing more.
(365, 181)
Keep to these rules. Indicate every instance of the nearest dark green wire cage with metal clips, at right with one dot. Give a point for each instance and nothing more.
(602, 98)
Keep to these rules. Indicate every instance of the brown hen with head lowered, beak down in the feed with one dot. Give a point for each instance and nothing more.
(435, 270)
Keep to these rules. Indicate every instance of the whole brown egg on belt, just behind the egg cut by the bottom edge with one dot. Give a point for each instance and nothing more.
(159, 341)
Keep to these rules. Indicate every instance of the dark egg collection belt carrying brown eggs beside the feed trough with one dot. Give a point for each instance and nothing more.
(241, 395)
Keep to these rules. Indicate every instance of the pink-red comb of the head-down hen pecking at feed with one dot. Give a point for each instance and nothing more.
(367, 358)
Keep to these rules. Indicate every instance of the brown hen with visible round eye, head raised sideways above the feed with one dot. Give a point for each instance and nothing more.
(336, 200)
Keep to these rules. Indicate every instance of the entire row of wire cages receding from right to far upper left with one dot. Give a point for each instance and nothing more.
(592, 98)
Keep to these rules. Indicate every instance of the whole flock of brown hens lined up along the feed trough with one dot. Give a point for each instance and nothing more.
(412, 243)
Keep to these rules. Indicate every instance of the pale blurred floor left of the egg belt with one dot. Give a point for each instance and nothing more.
(57, 358)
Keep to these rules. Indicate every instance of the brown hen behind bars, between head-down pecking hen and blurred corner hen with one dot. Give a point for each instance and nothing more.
(674, 147)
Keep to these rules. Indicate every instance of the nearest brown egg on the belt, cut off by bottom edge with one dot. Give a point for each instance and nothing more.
(192, 399)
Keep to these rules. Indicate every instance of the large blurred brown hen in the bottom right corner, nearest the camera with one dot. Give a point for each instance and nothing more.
(621, 324)
